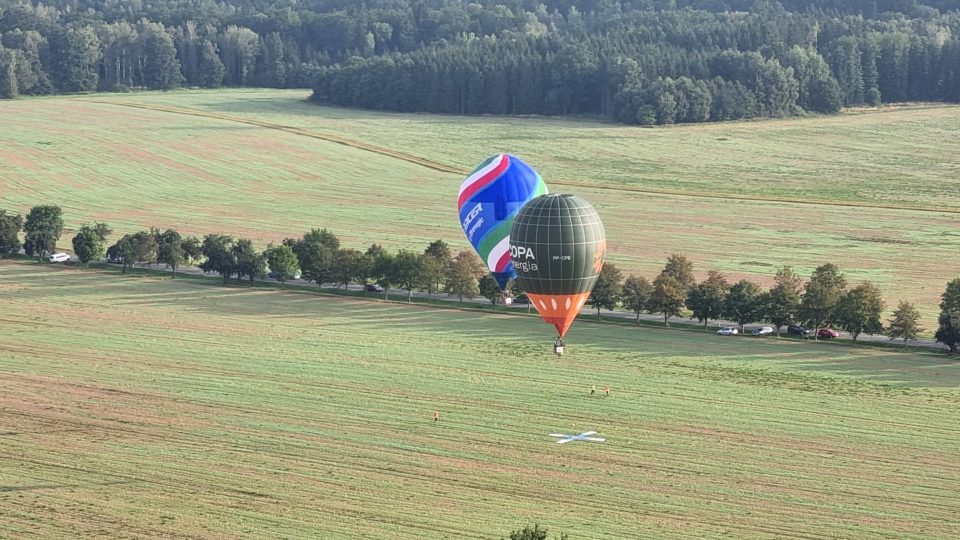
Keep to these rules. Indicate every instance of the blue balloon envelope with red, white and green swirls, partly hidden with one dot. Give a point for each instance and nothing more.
(488, 202)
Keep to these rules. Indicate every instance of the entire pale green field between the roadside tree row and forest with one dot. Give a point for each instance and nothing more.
(733, 197)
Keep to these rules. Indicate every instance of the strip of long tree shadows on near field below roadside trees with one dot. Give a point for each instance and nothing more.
(489, 330)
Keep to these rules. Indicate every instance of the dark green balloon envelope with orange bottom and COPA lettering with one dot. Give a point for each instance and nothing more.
(557, 244)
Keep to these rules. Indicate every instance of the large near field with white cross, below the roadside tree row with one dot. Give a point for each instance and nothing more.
(143, 407)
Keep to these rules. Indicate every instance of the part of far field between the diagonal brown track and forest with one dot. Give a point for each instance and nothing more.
(896, 156)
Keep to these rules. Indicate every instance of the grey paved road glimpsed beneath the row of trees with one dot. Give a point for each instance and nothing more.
(585, 312)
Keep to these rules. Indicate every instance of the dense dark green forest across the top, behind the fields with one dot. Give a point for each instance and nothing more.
(636, 62)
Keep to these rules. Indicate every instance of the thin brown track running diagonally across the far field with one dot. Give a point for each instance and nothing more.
(444, 168)
